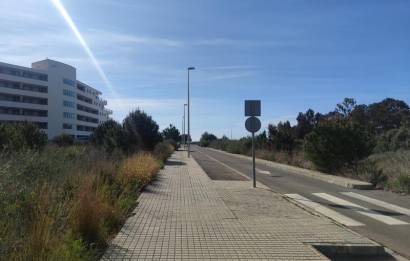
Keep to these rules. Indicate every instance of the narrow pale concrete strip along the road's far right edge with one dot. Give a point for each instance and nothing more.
(341, 181)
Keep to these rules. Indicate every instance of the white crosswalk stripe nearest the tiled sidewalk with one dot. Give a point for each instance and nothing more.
(325, 211)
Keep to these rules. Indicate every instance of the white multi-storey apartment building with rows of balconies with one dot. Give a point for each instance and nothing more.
(49, 95)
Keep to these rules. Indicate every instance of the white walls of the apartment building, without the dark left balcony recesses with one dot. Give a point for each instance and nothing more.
(61, 79)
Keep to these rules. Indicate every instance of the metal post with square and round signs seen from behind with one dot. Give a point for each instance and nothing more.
(253, 124)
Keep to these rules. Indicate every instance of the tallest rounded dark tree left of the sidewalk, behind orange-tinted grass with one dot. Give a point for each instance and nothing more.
(140, 131)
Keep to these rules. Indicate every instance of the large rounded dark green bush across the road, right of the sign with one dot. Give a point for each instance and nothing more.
(333, 145)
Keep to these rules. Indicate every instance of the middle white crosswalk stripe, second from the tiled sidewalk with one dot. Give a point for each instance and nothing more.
(362, 210)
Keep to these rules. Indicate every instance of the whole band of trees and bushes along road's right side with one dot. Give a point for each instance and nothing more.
(367, 142)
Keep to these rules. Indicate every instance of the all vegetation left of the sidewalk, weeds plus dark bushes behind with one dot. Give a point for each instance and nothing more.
(64, 201)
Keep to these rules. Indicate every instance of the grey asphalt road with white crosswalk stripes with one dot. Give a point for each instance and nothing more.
(379, 215)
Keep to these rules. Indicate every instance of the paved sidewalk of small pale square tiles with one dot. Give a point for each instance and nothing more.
(185, 215)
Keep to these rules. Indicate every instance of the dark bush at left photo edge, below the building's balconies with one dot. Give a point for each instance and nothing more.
(21, 136)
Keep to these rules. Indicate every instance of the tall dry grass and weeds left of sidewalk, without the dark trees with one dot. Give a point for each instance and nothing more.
(66, 203)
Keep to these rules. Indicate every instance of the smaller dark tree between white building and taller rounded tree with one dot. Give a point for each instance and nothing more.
(108, 135)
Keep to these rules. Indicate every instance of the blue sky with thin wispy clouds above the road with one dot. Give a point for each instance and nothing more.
(292, 55)
